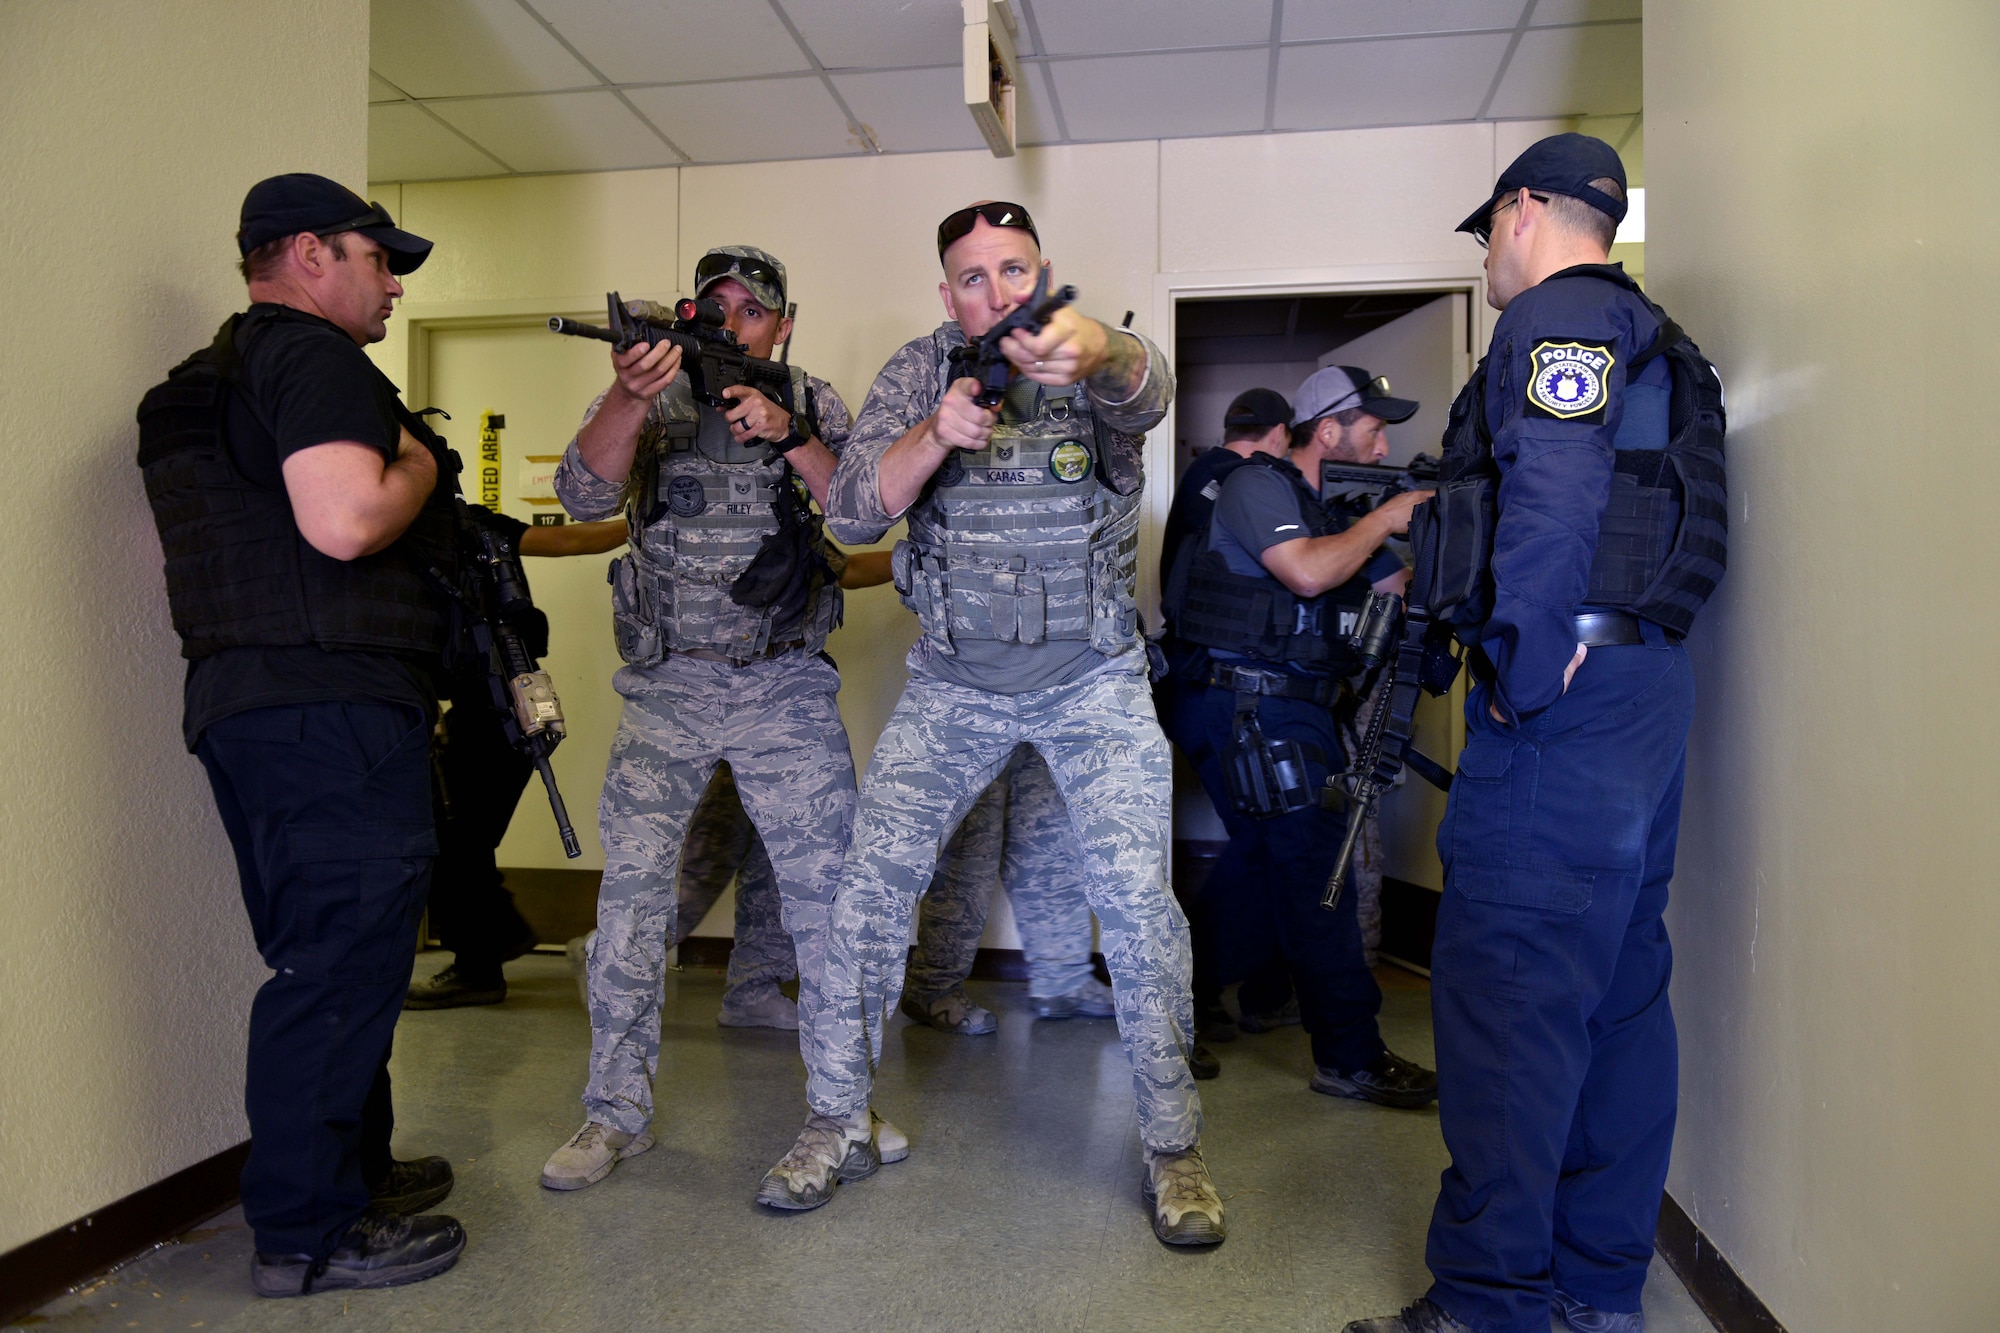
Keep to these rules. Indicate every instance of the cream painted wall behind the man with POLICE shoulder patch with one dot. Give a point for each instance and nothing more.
(1821, 219)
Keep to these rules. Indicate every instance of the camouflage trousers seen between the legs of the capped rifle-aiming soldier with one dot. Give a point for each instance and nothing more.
(723, 846)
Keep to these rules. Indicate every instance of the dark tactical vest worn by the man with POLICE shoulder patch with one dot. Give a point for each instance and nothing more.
(1663, 539)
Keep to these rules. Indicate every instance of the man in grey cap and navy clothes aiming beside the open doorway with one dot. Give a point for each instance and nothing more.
(1271, 597)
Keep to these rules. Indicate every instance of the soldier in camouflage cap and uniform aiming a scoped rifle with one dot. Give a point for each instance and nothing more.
(707, 678)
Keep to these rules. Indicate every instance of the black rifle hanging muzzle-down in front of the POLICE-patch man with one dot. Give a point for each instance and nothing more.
(1419, 663)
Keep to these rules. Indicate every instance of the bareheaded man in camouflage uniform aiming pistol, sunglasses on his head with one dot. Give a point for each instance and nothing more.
(1021, 567)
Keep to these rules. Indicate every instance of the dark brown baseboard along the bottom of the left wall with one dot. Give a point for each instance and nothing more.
(71, 1256)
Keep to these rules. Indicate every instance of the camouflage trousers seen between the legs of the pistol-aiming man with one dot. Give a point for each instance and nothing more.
(1019, 836)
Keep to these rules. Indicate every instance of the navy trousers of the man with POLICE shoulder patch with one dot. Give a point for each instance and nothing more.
(1557, 1058)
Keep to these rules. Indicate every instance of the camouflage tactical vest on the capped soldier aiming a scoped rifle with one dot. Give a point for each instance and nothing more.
(699, 511)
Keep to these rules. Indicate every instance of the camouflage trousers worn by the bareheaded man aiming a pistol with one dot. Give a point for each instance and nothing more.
(941, 750)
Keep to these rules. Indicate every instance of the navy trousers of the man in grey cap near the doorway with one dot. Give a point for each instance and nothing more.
(1263, 900)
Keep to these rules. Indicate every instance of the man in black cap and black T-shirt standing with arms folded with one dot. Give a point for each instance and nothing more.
(301, 515)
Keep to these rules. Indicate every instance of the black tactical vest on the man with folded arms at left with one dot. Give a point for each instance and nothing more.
(239, 571)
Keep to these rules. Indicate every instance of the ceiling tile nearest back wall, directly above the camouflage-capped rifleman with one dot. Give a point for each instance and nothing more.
(751, 121)
